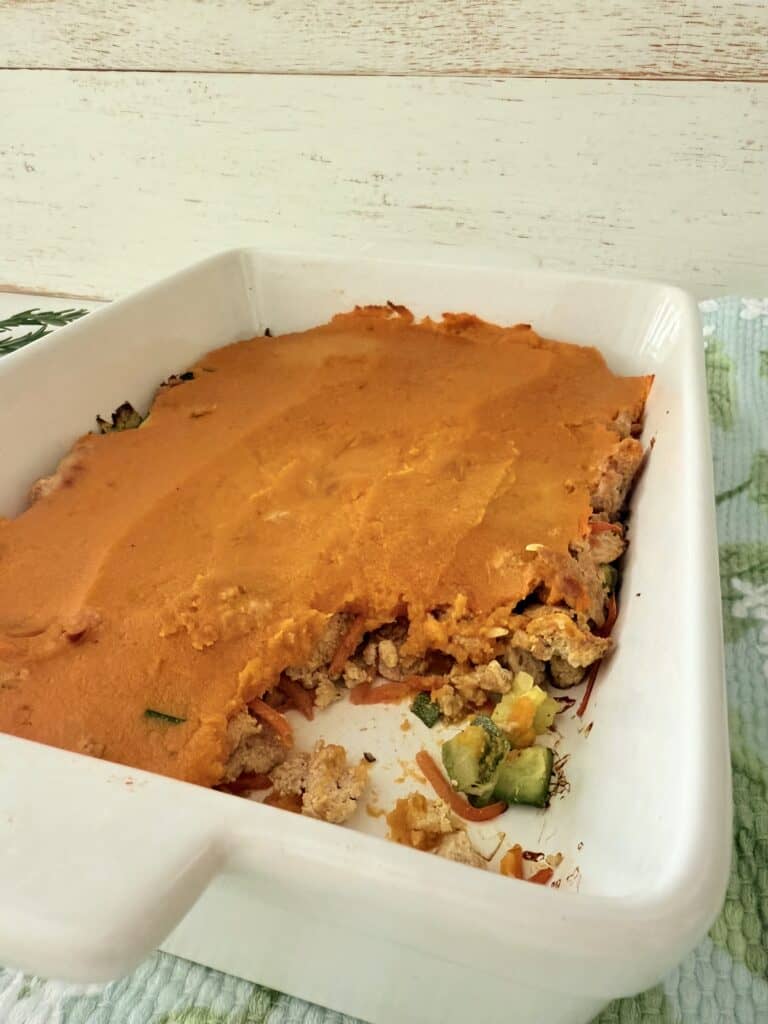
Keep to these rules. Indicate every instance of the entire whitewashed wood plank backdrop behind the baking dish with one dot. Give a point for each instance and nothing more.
(614, 137)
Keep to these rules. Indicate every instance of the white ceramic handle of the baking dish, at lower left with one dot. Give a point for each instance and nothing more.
(98, 863)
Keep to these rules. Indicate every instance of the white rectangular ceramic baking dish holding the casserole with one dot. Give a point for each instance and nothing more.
(101, 864)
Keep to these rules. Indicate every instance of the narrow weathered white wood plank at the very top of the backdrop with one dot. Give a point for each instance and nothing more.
(570, 38)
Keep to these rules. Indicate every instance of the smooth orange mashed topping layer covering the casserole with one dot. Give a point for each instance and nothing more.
(437, 475)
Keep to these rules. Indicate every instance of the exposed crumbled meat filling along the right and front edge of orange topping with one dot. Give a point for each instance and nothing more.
(553, 644)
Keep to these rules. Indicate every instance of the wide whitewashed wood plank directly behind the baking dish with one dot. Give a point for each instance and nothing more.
(109, 181)
